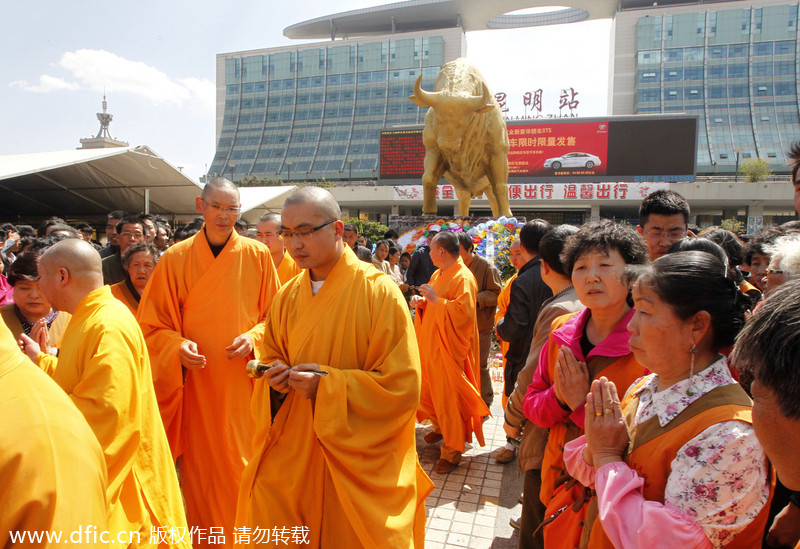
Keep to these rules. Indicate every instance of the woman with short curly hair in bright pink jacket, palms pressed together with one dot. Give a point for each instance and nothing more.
(581, 347)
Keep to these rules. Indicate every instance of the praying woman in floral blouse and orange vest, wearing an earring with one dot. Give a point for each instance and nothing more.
(677, 459)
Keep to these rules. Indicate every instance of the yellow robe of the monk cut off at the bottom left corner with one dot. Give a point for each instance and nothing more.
(52, 471)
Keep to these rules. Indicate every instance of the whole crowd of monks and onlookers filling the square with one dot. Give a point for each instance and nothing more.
(651, 382)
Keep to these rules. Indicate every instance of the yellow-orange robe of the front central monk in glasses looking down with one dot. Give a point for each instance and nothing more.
(345, 466)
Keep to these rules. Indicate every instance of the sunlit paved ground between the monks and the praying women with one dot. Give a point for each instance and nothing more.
(471, 506)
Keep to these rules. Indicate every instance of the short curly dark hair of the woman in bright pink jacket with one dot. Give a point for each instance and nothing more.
(604, 235)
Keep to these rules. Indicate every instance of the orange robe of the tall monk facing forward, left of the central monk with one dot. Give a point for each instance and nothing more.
(193, 295)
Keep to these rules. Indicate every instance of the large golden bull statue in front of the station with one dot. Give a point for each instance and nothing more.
(465, 139)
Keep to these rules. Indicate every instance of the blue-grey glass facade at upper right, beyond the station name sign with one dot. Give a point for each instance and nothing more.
(737, 69)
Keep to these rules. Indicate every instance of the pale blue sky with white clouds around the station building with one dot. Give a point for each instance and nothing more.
(156, 61)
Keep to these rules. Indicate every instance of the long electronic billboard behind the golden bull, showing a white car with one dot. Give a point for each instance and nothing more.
(636, 149)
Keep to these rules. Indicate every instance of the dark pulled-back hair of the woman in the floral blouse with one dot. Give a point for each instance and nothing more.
(694, 281)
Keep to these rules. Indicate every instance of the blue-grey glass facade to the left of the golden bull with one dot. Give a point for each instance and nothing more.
(316, 111)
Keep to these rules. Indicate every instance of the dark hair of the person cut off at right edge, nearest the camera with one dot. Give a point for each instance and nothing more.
(768, 347)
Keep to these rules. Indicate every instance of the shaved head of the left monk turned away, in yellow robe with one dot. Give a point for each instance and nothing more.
(69, 270)
